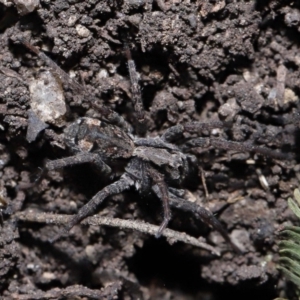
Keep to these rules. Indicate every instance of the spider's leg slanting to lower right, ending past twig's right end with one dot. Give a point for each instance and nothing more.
(205, 215)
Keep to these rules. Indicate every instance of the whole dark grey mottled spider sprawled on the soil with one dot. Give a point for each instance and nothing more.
(151, 162)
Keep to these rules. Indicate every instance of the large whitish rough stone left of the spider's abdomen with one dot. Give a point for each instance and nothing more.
(47, 98)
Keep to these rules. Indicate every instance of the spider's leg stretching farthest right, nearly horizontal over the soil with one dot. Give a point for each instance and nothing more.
(236, 146)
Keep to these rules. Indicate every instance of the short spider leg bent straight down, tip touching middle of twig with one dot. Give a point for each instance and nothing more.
(163, 194)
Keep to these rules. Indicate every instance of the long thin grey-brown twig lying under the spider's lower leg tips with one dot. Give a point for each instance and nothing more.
(171, 235)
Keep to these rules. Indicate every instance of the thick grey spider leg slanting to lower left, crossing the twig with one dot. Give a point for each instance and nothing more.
(124, 183)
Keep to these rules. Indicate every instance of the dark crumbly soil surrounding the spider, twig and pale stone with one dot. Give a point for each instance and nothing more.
(236, 61)
